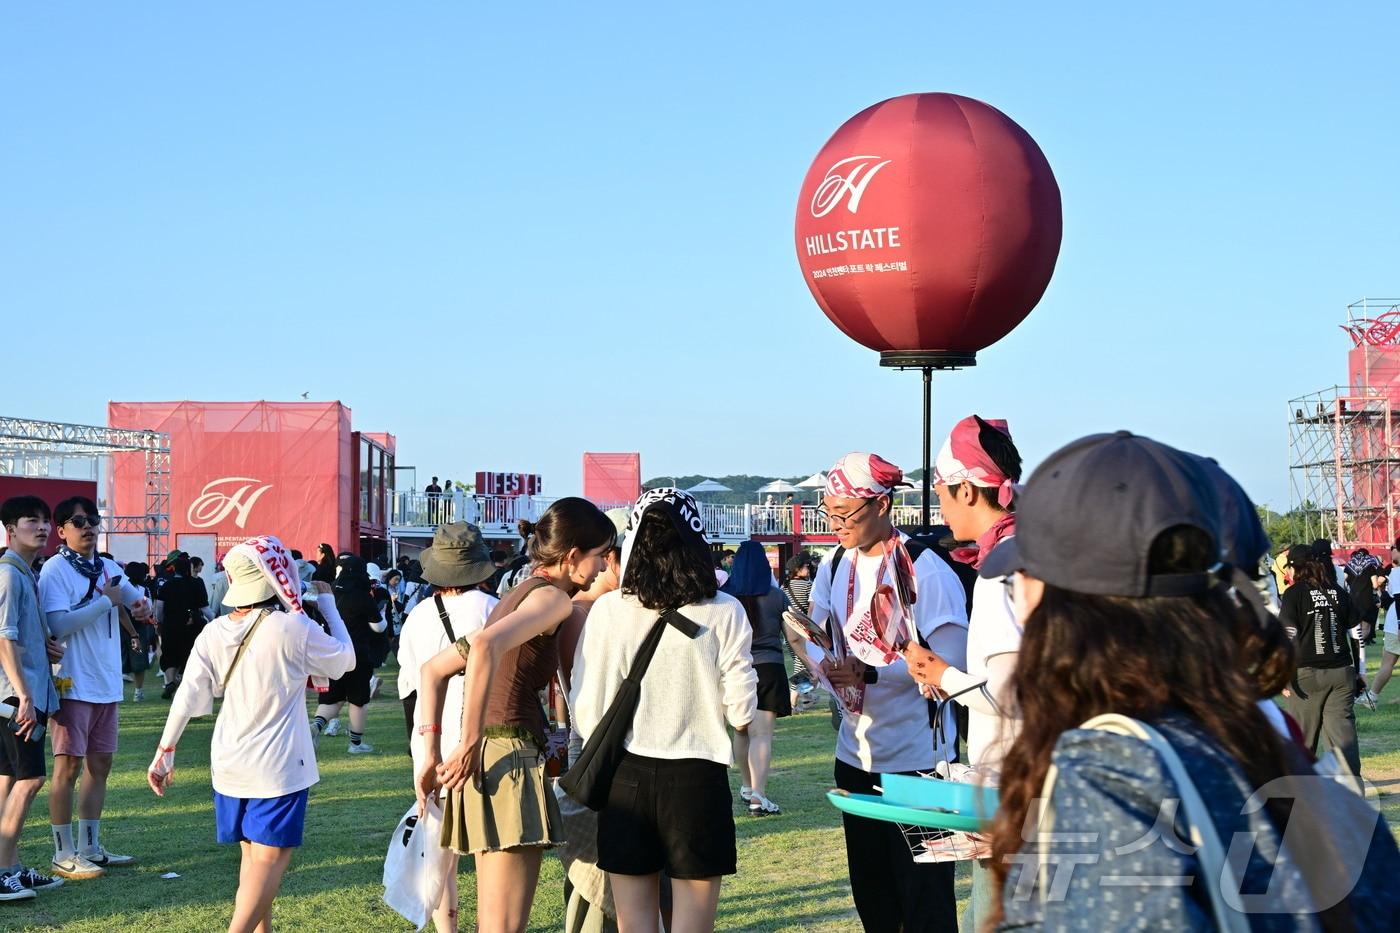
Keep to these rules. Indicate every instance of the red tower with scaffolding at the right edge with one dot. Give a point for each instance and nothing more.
(1345, 442)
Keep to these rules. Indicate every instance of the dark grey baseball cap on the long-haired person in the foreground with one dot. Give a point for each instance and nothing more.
(1090, 513)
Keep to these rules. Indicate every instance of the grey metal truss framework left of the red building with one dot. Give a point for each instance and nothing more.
(45, 449)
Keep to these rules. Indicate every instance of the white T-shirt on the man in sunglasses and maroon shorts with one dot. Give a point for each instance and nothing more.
(93, 655)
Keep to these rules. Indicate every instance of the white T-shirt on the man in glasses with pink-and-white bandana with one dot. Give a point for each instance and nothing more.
(892, 732)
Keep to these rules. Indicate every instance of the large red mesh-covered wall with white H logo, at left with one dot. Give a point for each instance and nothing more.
(247, 469)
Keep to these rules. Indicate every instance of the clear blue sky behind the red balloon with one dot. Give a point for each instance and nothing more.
(510, 236)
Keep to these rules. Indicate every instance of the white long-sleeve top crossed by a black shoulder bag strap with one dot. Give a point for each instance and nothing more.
(692, 690)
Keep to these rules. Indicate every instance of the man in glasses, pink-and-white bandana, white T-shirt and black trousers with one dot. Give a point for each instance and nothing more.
(892, 732)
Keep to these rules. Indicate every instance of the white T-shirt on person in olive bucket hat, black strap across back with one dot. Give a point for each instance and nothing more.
(423, 637)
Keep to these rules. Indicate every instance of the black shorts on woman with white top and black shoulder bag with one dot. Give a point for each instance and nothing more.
(668, 816)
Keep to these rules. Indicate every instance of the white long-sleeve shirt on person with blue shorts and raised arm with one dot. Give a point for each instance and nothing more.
(262, 743)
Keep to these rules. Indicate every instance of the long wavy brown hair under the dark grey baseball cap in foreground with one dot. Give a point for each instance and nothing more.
(1209, 658)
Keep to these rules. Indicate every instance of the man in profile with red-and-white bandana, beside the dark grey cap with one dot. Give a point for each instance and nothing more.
(975, 480)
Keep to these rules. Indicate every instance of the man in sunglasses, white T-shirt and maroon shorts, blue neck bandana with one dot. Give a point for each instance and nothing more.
(80, 595)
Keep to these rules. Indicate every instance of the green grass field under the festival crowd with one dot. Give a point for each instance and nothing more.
(792, 868)
